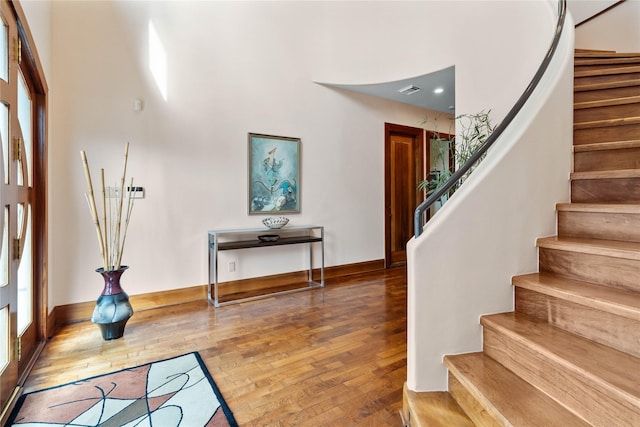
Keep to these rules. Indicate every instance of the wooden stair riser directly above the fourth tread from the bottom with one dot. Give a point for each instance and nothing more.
(599, 269)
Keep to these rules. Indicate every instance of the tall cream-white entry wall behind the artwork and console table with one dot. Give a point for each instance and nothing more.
(239, 67)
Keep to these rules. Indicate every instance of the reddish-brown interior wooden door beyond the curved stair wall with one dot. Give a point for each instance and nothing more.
(403, 171)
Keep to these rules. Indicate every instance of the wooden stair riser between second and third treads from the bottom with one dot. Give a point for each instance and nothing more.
(579, 393)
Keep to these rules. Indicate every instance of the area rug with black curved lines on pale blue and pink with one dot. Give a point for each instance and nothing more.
(168, 393)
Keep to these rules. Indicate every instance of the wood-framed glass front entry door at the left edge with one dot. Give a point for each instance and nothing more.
(23, 228)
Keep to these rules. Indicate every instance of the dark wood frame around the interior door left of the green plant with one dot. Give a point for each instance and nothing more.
(417, 134)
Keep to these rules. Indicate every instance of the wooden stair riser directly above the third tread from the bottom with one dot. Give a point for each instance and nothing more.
(615, 331)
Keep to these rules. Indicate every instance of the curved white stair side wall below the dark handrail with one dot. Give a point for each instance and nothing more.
(460, 267)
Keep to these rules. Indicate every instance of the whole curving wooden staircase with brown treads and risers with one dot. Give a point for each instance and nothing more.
(569, 355)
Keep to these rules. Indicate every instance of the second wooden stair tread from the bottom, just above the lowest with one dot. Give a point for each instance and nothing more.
(517, 401)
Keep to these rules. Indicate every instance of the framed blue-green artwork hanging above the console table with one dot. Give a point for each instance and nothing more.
(274, 174)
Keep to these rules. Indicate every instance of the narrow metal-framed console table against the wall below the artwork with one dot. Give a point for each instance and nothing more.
(245, 238)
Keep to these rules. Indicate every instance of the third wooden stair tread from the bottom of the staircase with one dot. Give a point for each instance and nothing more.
(612, 370)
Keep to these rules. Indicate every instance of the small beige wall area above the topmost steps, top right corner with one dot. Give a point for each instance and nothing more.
(617, 29)
